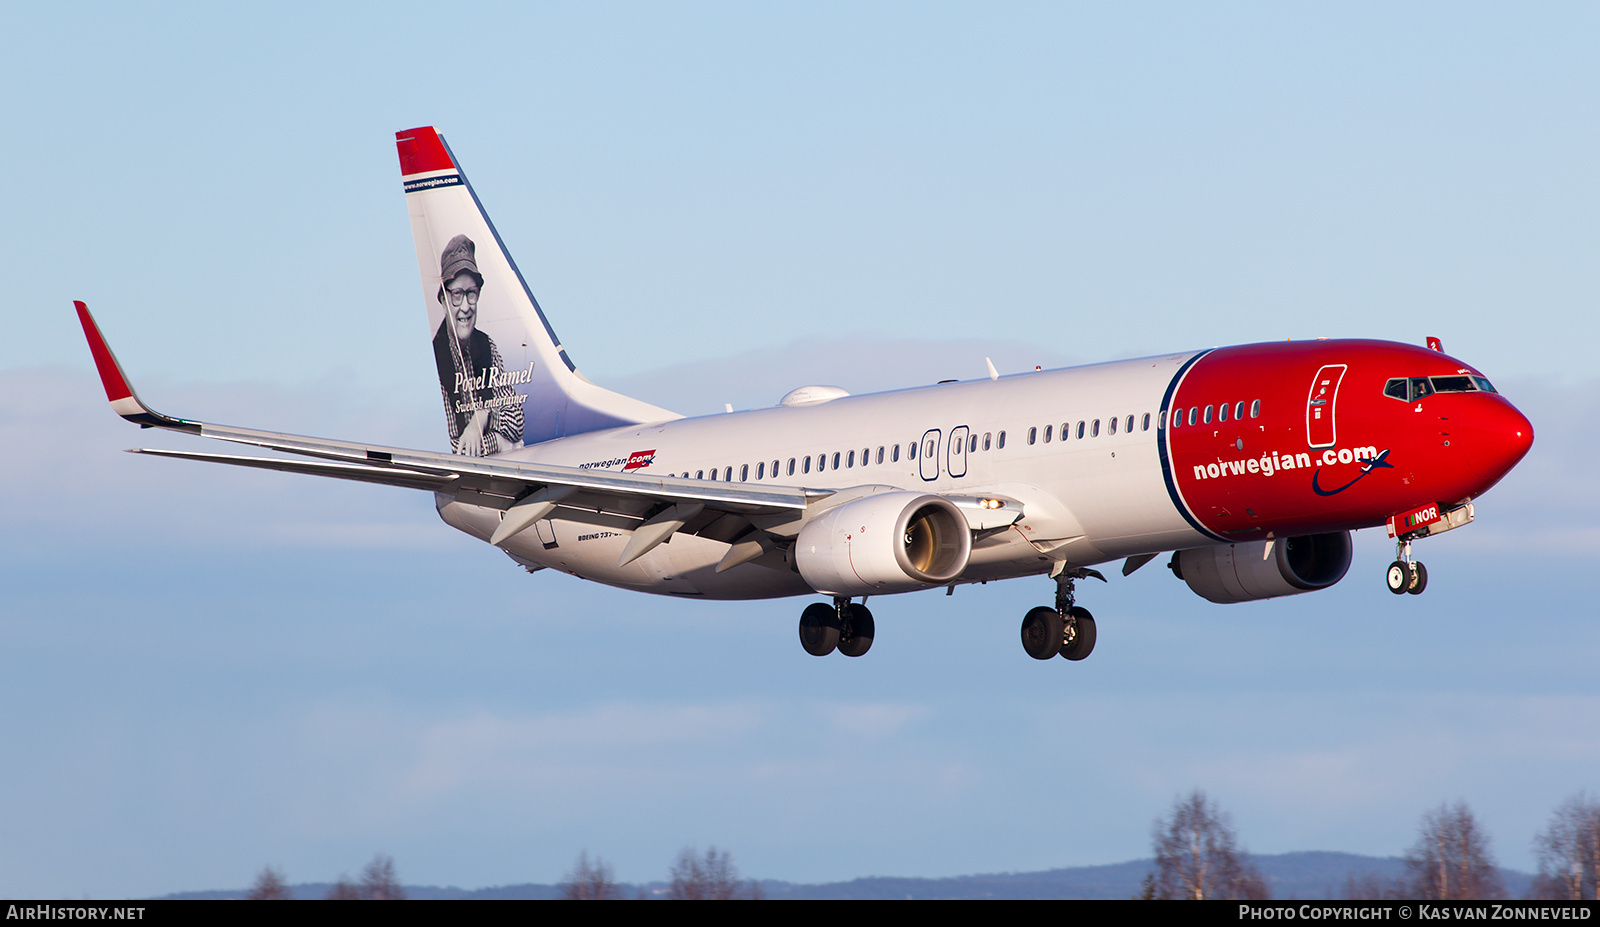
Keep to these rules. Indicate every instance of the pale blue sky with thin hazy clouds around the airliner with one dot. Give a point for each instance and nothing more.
(202, 673)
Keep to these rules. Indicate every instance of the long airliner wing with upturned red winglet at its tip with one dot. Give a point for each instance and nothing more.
(498, 483)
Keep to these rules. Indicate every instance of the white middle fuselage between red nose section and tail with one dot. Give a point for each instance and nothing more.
(1086, 500)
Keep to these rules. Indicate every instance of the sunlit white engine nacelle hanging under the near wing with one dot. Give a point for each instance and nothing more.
(884, 544)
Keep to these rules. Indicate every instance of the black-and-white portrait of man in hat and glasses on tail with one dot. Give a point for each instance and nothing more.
(484, 414)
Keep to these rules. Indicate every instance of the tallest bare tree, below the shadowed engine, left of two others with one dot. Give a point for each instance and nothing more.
(1198, 856)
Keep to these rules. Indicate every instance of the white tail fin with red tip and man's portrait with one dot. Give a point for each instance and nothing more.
(503, 374)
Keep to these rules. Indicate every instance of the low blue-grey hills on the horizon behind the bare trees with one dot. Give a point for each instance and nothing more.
(1311, 875)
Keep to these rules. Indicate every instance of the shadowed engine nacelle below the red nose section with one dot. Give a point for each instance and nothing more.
(1247, 572)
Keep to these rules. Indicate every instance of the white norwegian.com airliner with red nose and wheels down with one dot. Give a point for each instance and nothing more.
(1252, 465)
